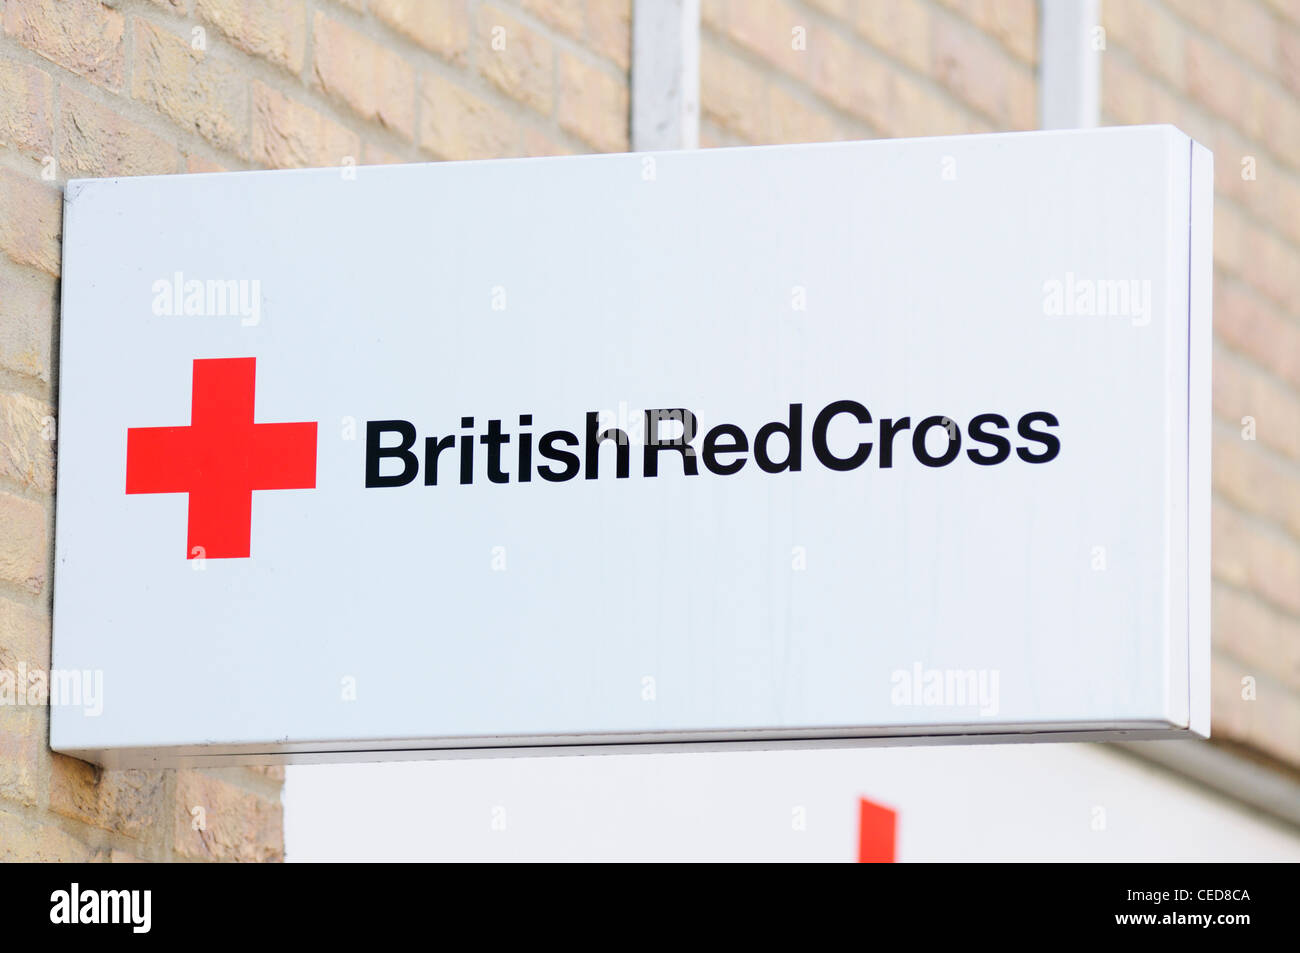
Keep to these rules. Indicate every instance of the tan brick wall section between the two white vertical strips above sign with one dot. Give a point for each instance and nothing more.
(809, 71)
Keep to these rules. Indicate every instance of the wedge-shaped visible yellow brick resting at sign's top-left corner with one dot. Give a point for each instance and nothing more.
(96, 141)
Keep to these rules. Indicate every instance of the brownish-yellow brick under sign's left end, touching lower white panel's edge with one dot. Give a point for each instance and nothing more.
(236, 825)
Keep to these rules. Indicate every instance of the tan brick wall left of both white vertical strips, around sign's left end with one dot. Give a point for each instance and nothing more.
(172, 86)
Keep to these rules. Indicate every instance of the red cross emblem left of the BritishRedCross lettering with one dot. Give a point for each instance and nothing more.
(222, 458)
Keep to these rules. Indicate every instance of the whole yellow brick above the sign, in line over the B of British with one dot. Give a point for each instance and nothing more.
(378, 84)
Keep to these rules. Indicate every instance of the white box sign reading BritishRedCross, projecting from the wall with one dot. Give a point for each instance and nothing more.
(838, 444)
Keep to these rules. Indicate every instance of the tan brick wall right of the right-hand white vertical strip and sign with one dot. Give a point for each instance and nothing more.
(1228, 72)
